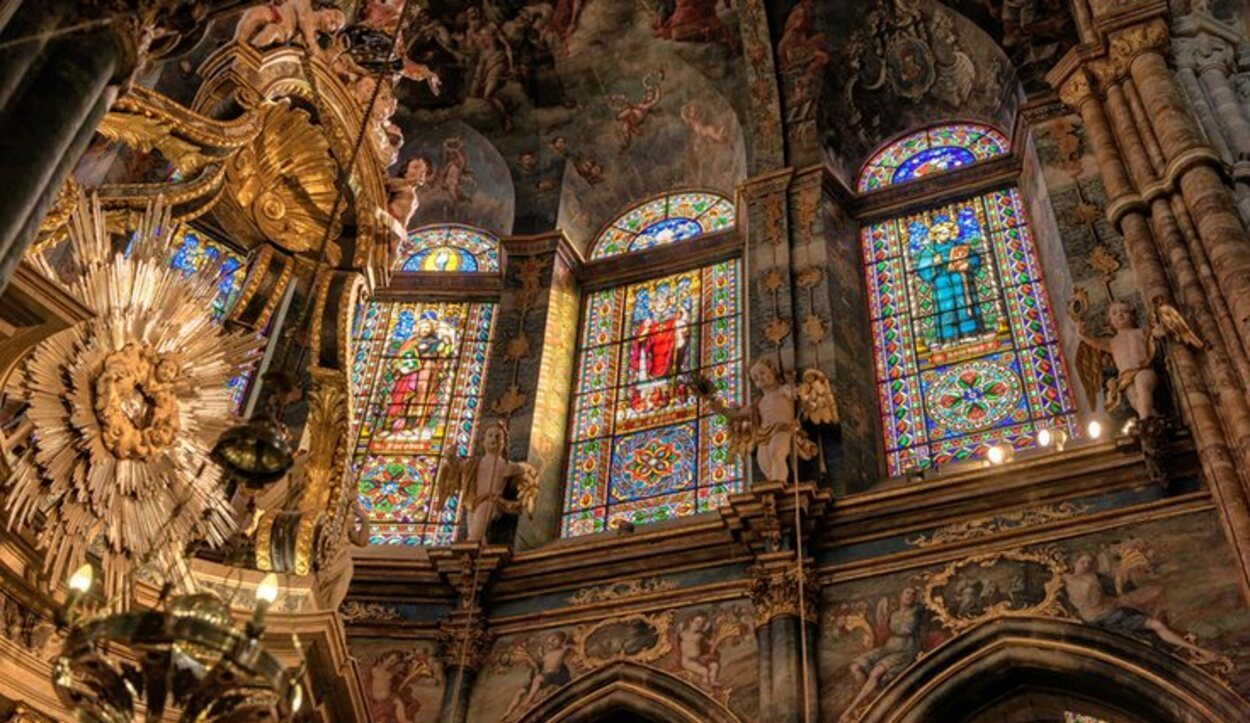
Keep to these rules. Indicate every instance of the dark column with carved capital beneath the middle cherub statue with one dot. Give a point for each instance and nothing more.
(774, 522)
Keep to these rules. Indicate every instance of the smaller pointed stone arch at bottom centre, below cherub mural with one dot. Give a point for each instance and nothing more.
(626, 686)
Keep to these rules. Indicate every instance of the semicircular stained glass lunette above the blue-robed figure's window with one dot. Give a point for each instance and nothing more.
(931, 152)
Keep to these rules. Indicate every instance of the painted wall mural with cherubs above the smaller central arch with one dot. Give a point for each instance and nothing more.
(711, 647)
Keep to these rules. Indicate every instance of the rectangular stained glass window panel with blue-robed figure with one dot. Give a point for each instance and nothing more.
(966, 345)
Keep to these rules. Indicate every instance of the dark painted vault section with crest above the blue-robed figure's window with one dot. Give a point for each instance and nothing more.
(901, 64)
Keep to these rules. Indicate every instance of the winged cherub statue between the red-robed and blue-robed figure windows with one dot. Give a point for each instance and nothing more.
(771, 425)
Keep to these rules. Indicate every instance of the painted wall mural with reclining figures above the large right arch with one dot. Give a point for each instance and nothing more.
(1168, 584)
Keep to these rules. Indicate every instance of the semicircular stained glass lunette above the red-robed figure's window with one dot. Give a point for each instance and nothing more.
(661, 222)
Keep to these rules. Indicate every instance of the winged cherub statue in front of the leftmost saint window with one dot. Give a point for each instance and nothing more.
(482, 481)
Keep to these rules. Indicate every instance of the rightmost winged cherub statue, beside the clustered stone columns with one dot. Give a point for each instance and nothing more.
(1132, 351)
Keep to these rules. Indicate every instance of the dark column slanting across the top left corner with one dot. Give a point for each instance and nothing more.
(61, 67)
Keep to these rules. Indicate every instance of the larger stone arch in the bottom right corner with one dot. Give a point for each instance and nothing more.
(1012, 655)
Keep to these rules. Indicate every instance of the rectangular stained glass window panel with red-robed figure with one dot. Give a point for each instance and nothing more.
(644, 448)
